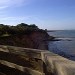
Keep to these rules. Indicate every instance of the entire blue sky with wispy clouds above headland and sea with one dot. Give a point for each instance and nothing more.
(46, 14)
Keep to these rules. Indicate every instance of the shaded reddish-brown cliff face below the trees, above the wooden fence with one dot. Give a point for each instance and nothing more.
(33, 40)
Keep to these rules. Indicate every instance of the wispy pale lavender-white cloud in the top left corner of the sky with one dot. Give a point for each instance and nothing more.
(8, 3)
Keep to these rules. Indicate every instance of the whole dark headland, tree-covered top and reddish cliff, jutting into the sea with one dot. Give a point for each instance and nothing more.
(23, 35)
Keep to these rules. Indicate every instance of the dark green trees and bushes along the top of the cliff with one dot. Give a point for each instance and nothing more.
(19, 29)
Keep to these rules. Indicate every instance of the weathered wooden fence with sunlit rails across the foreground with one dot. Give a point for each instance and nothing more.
(26, 61)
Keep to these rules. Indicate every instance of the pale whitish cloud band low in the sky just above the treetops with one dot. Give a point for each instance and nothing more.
(10, 20)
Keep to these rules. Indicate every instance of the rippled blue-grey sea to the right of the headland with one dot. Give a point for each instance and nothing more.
(66, 45)
